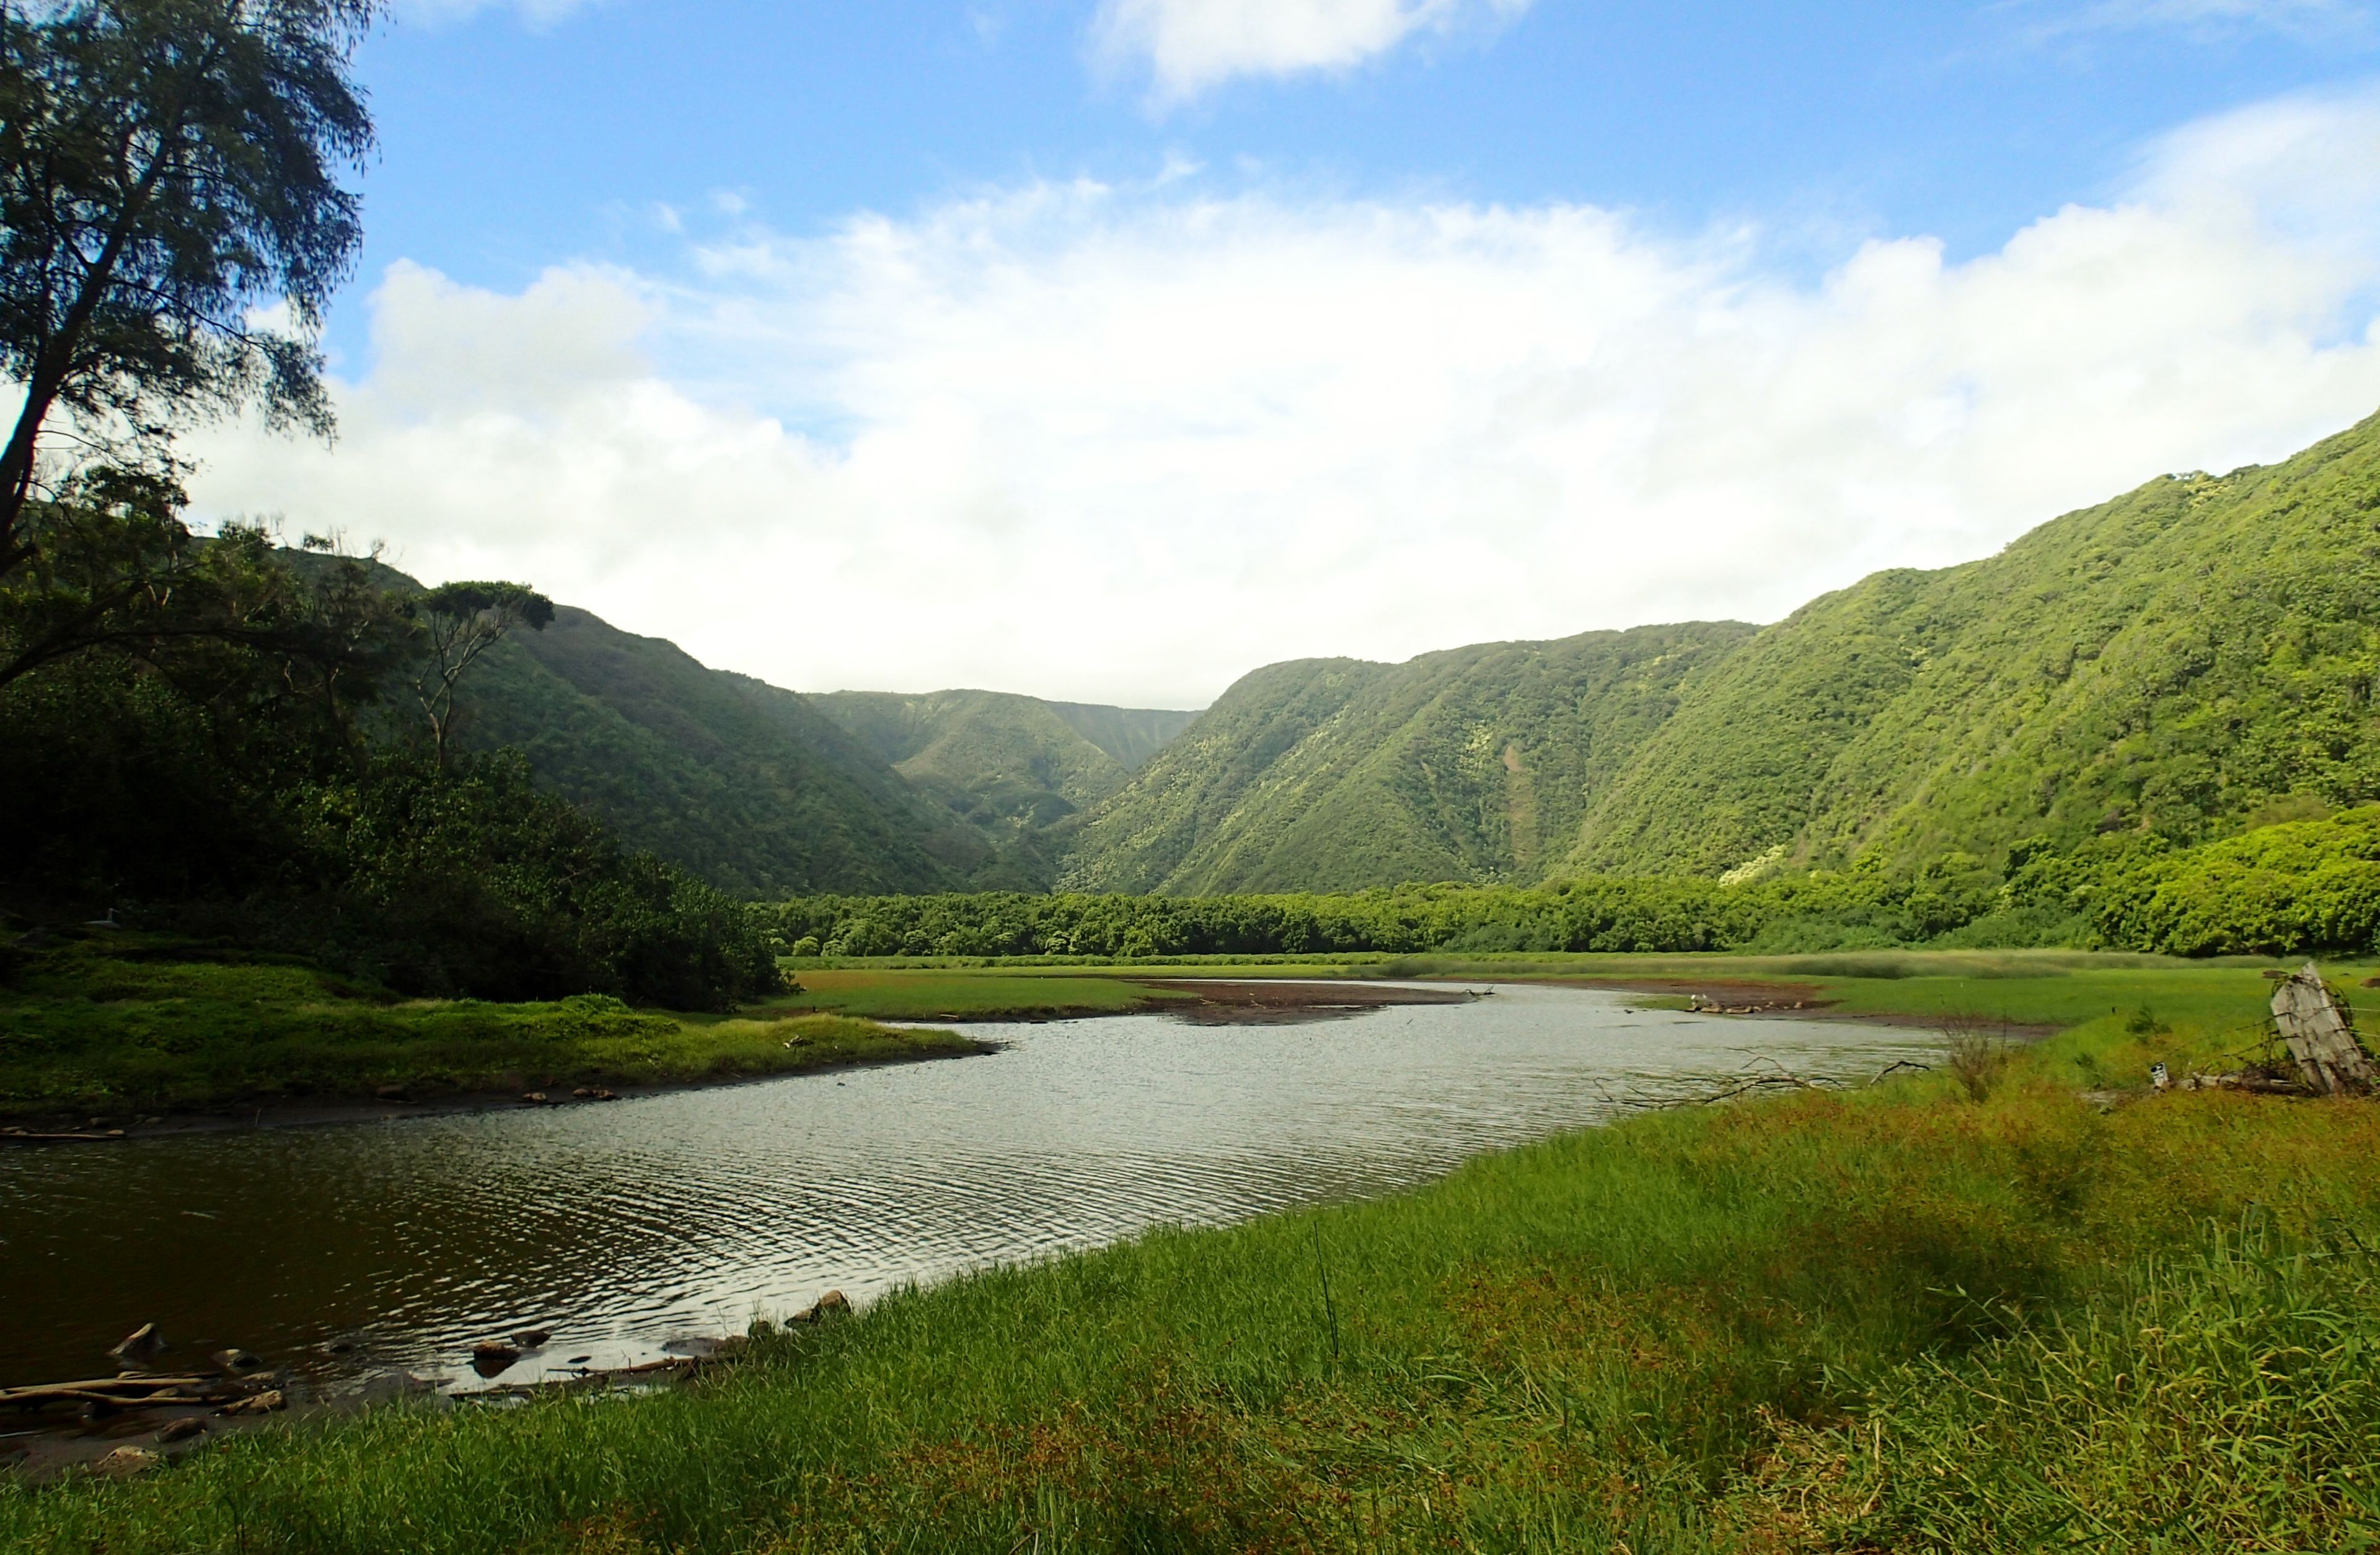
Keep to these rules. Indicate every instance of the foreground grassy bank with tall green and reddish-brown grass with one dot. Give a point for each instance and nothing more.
(1898, 1318)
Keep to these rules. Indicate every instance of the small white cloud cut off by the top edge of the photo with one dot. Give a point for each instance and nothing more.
(1191, 46)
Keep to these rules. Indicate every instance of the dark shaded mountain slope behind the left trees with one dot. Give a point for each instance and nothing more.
(746, 785)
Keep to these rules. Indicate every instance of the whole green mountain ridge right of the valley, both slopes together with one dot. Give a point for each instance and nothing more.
(2188, 661)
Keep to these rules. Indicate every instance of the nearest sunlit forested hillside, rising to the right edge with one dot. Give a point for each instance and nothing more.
(2184, 661)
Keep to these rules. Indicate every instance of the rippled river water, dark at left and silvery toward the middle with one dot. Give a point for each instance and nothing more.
(372, 1247)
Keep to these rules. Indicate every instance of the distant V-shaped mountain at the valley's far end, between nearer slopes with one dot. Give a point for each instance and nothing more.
(1013, 768)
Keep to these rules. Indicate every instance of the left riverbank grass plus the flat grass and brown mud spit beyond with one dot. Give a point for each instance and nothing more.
(125, 1037)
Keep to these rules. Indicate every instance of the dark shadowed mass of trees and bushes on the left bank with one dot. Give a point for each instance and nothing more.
(246, 754)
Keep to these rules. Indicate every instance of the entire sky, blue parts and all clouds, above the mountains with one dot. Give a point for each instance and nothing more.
(1113, 349)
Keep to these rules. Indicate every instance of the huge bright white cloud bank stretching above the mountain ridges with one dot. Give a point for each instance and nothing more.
(1132, 444)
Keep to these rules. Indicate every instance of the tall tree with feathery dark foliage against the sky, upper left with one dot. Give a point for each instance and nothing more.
(170, 223)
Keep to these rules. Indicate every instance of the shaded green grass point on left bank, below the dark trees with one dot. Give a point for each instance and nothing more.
(118, 1030)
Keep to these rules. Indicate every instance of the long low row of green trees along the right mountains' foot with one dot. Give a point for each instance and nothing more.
(2279, 889)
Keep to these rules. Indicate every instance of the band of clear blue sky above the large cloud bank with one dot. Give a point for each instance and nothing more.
(515, 139)
